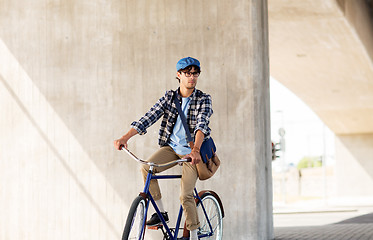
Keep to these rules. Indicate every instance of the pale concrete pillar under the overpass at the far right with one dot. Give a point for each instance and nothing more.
(354, 165)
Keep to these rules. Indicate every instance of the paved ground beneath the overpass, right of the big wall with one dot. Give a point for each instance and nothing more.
(340, 219)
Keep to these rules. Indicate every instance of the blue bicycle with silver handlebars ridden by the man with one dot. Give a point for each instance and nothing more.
(209, 207)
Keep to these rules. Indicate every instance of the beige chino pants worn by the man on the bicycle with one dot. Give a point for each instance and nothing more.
(188, 182)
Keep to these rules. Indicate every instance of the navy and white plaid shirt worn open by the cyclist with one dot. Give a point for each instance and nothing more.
(198, 118)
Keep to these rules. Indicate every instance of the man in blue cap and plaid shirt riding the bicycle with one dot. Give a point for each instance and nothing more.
(197, 106)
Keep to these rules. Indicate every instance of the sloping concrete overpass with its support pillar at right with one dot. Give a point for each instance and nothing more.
(323, 52)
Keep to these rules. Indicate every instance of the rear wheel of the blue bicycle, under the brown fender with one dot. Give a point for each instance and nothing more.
(214, 212)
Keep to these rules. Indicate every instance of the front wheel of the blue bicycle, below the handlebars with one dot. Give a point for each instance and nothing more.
(134, 224)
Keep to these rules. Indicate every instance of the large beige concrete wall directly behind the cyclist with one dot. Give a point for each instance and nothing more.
(75, 74)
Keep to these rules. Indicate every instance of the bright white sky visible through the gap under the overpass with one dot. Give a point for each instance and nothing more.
(305, 134)
